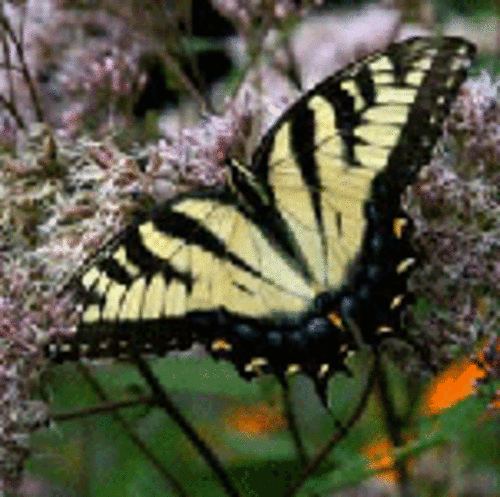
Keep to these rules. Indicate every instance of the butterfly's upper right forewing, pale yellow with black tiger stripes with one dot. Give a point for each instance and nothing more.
(383, 114)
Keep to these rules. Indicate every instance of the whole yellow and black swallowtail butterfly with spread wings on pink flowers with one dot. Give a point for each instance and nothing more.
(306, 252)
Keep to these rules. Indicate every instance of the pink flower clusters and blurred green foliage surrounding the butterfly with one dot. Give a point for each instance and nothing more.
(109, 107)
